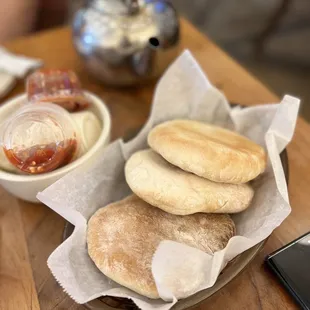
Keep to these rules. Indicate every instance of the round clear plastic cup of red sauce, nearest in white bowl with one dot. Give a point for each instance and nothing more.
(40, 138)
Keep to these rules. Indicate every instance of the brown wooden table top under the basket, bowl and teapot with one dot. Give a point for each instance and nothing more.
(29, 232)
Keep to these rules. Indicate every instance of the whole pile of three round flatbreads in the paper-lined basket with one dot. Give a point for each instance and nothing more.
(185, 187)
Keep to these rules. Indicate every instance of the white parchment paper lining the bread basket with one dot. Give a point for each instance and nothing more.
(179, 271)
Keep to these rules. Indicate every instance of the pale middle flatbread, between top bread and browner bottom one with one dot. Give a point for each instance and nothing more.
(176, 191)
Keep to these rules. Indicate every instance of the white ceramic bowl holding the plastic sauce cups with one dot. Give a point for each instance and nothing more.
(26, 187)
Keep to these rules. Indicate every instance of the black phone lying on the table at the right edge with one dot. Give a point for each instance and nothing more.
(291, 264)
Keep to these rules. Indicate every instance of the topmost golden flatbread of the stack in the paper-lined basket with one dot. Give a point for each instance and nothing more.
(211, 152)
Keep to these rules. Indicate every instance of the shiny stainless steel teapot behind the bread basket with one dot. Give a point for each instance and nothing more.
(126, 42)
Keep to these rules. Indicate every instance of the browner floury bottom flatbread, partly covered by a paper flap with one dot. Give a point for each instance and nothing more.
(123, 236)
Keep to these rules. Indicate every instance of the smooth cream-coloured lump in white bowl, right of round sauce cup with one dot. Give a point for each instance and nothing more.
(89, 129)
